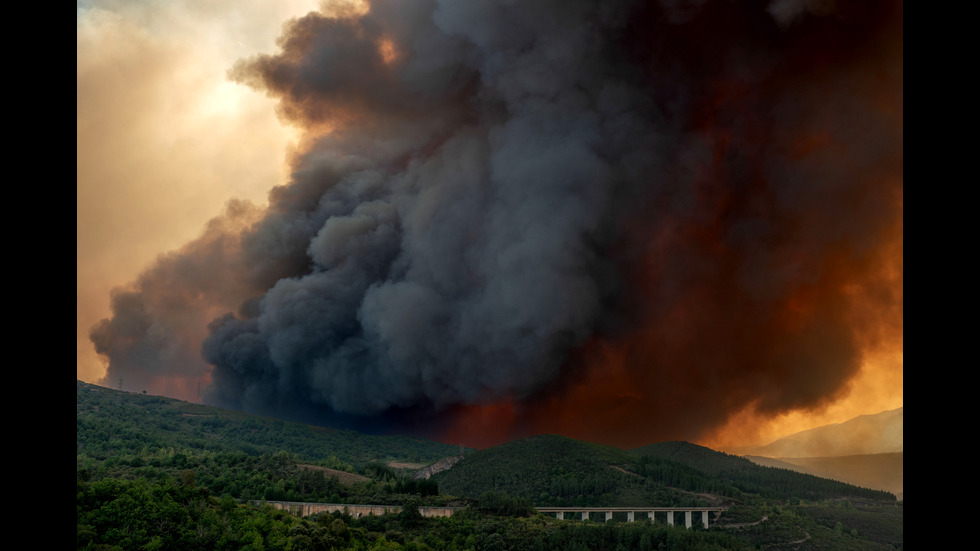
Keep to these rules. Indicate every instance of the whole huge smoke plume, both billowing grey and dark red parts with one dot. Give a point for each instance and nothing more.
(521, 179)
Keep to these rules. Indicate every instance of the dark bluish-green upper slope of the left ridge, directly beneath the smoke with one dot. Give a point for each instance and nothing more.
(109, 422)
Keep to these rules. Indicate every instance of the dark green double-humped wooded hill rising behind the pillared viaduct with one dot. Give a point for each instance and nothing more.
(558, 471)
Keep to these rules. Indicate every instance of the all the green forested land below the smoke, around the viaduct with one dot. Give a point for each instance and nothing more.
(156, 473)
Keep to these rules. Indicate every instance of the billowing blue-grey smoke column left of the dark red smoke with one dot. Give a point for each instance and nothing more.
(454, 258)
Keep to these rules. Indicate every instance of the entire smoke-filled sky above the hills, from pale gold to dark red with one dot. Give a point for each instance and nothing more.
(623, 222)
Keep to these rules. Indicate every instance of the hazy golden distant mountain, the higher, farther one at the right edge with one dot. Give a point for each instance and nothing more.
(867, 434)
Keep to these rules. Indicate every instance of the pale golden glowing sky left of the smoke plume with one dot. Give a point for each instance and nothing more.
(163, 138)
